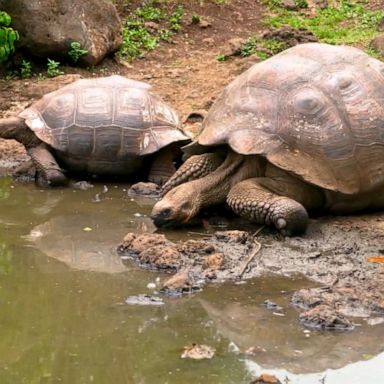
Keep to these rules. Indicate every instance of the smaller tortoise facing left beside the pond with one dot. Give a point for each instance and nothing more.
(102, 126)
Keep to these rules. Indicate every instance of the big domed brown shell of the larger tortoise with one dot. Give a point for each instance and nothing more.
(315, 110)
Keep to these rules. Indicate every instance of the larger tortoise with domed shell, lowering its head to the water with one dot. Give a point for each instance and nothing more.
(303, 130)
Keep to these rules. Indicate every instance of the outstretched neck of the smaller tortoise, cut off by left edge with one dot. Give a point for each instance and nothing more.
(16, 129)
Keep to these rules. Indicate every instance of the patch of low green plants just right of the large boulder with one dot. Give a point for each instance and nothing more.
(147, 26)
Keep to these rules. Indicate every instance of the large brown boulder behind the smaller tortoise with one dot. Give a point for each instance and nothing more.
(47, 27)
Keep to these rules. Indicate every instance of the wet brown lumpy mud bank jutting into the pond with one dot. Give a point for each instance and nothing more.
(335, 254)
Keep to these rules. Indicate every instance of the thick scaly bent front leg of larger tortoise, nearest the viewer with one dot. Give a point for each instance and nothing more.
(279, 200)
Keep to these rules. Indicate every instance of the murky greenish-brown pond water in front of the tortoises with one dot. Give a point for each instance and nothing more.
(63, 315)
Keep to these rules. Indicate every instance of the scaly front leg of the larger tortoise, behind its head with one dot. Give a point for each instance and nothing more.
(194, 168)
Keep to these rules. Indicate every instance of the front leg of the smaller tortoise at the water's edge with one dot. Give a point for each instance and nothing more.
(48, 171)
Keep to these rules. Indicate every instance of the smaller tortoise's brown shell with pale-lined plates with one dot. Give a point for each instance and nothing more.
(104, 121)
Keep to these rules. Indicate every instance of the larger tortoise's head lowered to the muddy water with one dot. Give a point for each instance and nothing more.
(178, 206)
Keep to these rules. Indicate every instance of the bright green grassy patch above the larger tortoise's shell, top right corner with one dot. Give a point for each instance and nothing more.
(349, 22)
